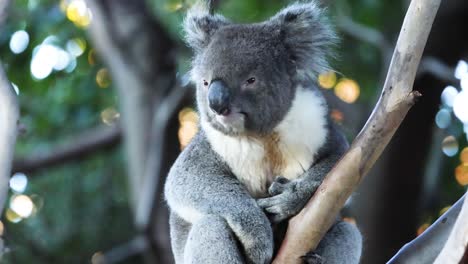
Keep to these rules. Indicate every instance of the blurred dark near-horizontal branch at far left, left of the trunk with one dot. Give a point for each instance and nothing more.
(79, 147)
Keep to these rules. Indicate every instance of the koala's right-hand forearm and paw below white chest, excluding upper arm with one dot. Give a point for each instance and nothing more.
(288, 197)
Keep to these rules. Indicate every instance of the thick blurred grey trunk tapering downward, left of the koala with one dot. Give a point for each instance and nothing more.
(140, 57)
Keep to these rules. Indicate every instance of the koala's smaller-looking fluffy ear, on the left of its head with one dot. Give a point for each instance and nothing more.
(199, 26)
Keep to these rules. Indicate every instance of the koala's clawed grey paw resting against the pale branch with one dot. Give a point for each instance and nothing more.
(287, 198)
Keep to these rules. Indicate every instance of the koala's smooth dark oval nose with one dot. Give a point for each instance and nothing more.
(219, 97)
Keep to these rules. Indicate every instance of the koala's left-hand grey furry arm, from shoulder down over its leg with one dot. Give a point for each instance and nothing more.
(199, 187)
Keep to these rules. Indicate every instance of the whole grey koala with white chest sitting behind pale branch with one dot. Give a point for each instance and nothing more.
(265, 141)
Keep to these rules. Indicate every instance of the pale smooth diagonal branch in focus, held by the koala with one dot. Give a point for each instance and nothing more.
(307, 228)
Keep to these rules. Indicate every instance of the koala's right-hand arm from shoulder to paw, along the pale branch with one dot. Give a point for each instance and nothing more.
(288, 197)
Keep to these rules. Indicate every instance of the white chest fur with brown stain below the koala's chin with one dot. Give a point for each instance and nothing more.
(288, 152)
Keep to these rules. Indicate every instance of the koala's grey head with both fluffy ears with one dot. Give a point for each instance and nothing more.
(247, 74)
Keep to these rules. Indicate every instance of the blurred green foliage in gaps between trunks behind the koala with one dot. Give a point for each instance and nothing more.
(81, 207)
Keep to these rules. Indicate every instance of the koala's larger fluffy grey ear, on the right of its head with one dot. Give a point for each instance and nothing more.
(307, 34)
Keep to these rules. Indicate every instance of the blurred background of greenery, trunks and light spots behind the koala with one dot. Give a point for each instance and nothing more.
(73, 196)
